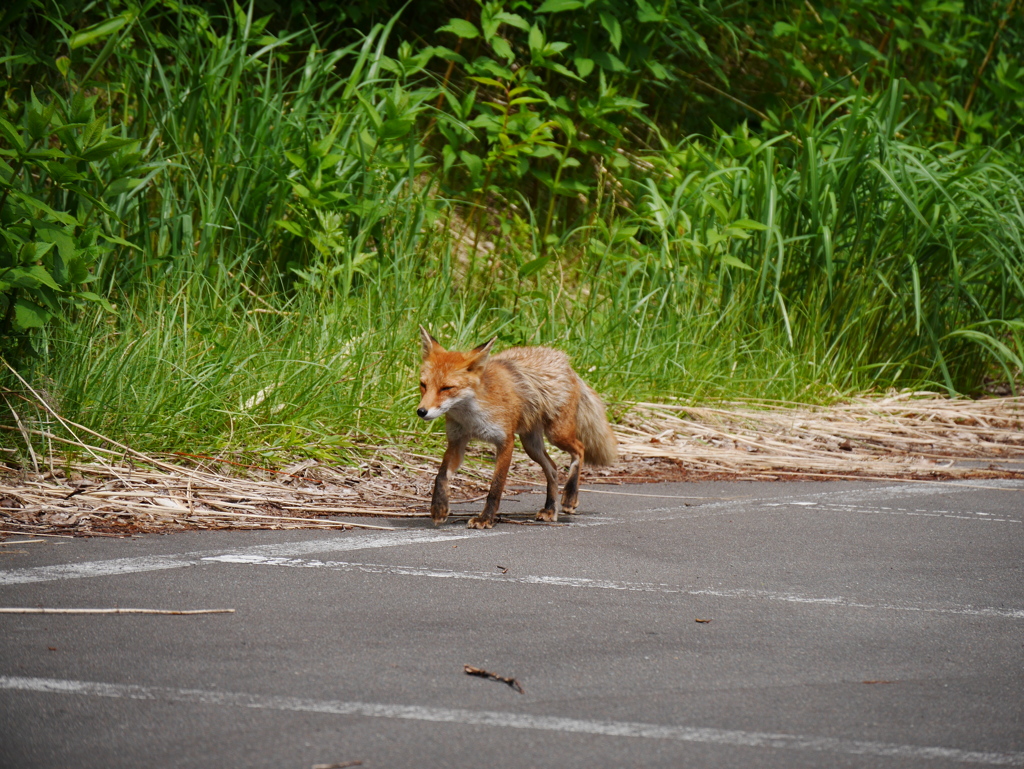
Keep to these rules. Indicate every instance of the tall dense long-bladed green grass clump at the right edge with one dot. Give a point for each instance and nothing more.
(903, 264)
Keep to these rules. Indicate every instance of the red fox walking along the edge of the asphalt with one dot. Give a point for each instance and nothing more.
(532, 392)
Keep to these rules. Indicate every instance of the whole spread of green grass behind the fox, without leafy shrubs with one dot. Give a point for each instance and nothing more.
(289, 238)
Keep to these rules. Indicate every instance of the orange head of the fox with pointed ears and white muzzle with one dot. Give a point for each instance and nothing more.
(449, 378)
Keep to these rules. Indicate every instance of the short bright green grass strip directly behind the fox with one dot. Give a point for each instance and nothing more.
(200, 372)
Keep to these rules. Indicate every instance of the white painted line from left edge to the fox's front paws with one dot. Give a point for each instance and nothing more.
(355, 541)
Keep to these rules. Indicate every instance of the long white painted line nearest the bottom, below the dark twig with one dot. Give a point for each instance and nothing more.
(726, 738)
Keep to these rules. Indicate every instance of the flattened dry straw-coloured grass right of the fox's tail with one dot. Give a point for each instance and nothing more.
(906, 436)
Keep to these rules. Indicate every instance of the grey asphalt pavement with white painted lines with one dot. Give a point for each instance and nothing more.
(703, 625)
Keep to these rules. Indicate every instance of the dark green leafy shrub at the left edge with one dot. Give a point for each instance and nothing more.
(54, 195)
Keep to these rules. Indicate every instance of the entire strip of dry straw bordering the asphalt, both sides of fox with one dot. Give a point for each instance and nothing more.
(119, 491)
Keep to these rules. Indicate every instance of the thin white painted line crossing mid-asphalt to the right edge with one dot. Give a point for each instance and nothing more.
(580, 582)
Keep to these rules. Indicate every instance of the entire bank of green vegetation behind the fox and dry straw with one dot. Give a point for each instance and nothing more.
(222, 226)
